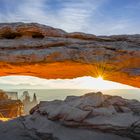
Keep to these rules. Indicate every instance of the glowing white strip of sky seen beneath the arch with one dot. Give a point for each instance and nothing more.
(87, 82)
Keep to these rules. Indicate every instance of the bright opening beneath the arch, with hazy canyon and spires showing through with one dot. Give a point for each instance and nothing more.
(30, 90)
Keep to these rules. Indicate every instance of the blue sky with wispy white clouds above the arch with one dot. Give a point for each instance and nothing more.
(100, 17)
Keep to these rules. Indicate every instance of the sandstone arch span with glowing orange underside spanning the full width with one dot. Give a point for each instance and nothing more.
(43, 51)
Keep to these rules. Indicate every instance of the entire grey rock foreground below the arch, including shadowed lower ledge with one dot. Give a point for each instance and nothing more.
(91, 116)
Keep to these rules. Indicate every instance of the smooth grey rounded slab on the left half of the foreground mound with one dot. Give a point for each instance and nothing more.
(63, 111)
